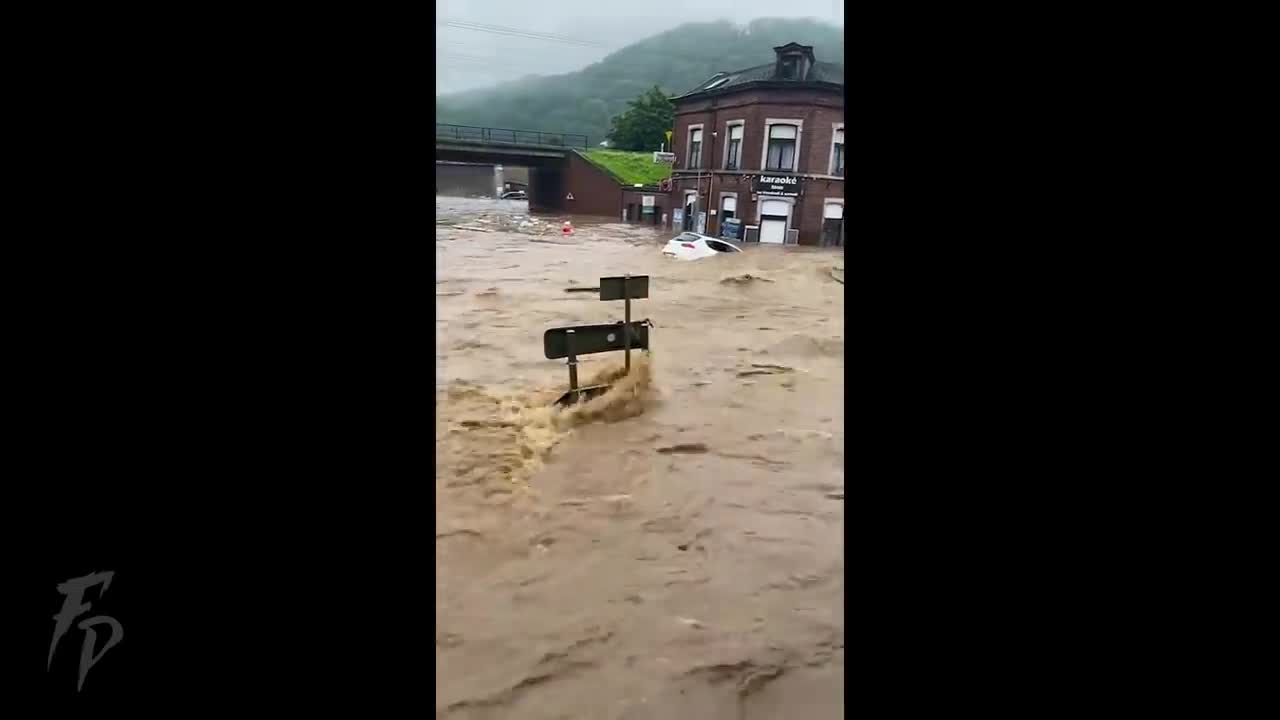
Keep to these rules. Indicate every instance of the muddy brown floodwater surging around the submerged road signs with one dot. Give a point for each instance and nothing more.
(673, 550)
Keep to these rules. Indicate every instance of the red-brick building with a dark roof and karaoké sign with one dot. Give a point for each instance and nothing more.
(765, 145)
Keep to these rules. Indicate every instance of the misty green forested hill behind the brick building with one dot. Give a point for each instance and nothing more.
(676, 61)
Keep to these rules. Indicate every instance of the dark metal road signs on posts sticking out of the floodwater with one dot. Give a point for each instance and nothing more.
(587, 340)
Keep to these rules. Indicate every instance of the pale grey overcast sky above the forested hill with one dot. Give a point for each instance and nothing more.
(468, 58)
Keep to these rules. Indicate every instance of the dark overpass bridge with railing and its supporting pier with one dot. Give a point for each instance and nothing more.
(546, 154)
